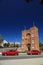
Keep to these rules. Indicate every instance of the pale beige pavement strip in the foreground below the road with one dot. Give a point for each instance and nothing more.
(33, 61)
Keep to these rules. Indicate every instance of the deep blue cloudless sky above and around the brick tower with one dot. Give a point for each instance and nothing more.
(15, 15)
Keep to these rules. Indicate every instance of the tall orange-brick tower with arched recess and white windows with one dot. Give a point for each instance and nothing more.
(30, 38)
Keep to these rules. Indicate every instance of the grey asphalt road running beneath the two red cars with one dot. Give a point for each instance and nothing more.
(20, 56)
